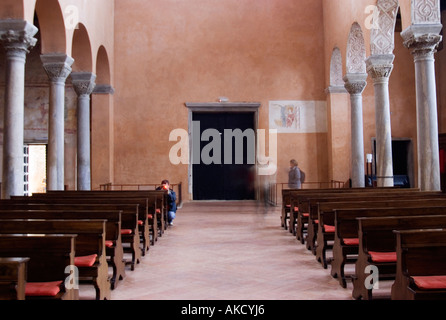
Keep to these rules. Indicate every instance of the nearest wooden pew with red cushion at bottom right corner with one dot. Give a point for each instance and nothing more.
(421, 261)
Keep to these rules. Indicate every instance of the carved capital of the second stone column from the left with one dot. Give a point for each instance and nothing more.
(57, 66)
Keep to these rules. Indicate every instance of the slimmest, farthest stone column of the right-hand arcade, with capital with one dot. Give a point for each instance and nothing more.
(355, 84)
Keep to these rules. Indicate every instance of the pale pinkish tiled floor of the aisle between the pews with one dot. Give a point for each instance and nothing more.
(228, 251)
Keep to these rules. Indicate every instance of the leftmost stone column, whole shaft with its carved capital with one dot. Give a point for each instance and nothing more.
(17, 37)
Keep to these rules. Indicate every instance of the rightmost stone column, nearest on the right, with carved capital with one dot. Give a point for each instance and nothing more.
(422, 41)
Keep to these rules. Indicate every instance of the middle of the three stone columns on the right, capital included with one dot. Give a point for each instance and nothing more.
(379, 67)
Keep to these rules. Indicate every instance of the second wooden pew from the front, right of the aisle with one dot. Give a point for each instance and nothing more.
(377, 244)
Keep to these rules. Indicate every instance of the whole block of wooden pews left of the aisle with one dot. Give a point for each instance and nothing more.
(50, 242)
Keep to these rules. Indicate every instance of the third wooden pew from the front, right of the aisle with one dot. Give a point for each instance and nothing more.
(346, 226)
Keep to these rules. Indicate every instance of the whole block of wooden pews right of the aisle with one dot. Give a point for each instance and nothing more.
(385, 233)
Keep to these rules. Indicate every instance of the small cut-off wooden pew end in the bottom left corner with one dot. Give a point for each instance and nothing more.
(13, 278)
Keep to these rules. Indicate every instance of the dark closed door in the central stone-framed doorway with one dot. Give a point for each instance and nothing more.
(224, 165)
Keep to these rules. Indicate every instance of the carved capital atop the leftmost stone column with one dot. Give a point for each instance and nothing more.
(17, 37)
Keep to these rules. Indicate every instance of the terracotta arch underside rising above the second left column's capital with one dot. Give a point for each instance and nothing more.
(52, 26)
